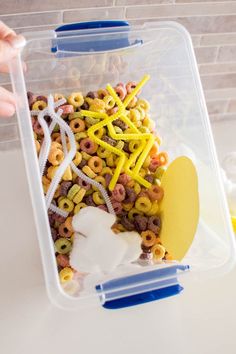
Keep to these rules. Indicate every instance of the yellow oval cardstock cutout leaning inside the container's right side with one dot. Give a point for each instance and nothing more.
(179, 207)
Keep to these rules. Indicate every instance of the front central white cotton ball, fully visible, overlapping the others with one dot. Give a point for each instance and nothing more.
(106, 249)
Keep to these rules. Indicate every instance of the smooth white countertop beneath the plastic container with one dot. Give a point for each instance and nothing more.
(199, 321)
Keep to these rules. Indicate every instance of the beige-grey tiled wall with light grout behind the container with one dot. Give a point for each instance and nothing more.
(212, 25)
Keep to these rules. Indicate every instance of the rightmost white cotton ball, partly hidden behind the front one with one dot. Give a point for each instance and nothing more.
(134, 250)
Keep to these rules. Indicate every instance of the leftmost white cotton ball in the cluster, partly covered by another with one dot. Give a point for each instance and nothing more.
(78, 257)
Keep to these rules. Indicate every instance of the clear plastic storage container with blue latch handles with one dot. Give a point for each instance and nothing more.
(63, 61)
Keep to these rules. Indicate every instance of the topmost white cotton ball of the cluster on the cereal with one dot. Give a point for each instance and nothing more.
(89, 218)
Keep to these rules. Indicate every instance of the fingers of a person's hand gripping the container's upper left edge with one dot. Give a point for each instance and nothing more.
(10, 43)
